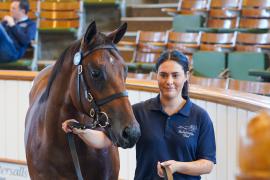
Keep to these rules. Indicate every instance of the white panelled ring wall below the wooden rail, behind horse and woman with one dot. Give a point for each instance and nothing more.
(227, 122)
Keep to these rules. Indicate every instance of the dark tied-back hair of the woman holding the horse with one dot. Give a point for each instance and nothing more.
(181, 59)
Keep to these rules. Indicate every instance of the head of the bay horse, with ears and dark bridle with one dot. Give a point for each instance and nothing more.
(99, 86)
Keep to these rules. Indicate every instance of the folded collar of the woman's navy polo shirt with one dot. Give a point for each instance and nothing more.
(155, 105)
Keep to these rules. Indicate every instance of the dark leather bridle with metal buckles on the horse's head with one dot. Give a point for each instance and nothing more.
(101, 119)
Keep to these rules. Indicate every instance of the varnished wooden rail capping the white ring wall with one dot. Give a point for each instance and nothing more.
(232, 98)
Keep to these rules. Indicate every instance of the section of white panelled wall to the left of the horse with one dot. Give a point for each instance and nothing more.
(13, 107)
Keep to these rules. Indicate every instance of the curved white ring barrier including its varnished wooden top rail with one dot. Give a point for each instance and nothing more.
(229, 110)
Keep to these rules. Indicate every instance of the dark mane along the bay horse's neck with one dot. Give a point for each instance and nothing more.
(57, 68)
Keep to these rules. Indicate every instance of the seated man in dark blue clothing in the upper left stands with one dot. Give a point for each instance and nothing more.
(16, 32)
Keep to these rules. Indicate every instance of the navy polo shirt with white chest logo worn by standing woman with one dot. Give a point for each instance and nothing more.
(187, 135)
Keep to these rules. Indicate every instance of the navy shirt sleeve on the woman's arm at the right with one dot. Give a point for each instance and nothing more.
(206, 143)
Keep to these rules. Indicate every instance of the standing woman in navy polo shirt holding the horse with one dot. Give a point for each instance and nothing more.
(174, 131)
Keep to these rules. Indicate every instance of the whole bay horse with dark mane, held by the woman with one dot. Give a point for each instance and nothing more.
(87, 83)
